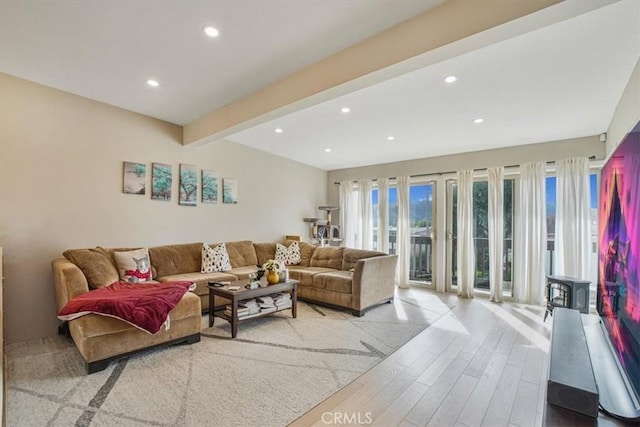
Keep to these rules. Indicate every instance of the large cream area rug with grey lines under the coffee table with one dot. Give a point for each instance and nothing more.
(274, 371)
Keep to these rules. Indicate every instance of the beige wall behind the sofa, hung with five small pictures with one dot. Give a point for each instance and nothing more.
(61, 187)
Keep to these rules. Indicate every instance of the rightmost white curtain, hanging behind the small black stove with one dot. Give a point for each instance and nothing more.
(573, 219)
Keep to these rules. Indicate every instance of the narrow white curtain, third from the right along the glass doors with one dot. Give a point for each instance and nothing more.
(496, 231)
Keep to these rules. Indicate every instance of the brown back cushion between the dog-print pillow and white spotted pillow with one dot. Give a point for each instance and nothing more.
(176, 259)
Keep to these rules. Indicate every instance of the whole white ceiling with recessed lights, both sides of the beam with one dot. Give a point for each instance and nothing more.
(556, 82)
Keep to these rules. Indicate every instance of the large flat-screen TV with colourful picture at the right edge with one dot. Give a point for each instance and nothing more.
(619, 255)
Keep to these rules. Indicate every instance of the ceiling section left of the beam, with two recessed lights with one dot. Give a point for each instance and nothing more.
(106, 50)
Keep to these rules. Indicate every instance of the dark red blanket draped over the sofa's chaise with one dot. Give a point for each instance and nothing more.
(145, 306)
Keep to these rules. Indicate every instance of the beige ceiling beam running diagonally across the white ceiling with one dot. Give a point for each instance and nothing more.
(450, 22)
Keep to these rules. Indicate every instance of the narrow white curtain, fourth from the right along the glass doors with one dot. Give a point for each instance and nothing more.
(466, 251)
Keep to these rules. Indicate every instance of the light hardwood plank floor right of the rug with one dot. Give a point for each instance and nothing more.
(478, 364)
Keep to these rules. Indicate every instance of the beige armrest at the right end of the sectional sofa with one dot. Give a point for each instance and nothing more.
(373, 280)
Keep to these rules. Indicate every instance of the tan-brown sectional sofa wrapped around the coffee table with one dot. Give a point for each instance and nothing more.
(340, 277)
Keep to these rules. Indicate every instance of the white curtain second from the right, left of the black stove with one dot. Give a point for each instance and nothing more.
(530, 236)
